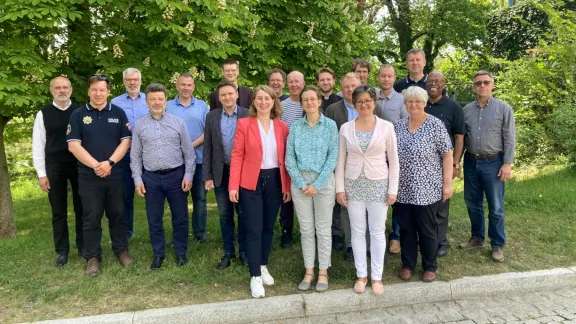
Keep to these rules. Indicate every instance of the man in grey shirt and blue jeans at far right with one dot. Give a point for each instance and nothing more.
(490, 141)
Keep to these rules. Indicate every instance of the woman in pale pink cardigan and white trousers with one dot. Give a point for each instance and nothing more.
(365, 182)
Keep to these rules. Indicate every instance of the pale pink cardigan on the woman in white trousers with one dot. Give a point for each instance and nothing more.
(351, 159)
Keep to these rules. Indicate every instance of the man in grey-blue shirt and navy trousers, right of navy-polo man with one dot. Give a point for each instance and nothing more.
(163, 163)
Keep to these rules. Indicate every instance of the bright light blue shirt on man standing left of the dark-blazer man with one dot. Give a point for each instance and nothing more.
(195, 117)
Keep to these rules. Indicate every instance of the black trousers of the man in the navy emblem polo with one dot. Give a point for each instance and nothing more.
(99, 196)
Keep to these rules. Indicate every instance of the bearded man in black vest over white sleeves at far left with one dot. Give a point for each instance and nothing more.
(55, 165)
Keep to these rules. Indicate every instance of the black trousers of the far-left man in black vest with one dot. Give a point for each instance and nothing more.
(59, 173)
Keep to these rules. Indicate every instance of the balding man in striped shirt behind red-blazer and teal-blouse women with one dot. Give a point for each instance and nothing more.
(292, 111)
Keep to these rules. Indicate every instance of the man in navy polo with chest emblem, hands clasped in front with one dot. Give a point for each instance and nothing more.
(99, 136)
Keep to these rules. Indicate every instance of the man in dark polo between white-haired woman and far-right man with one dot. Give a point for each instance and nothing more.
(450, 113)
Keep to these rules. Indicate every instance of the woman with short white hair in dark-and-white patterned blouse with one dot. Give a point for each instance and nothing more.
(425, 153)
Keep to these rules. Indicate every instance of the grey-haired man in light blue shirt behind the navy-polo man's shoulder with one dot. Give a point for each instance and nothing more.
(133, 102)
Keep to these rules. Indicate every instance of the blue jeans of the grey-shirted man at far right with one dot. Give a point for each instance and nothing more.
(481, 178)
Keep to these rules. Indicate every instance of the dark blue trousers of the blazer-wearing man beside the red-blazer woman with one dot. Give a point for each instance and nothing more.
(226, 209)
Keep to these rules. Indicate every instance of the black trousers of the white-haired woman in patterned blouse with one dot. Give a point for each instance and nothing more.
(418, 225)
